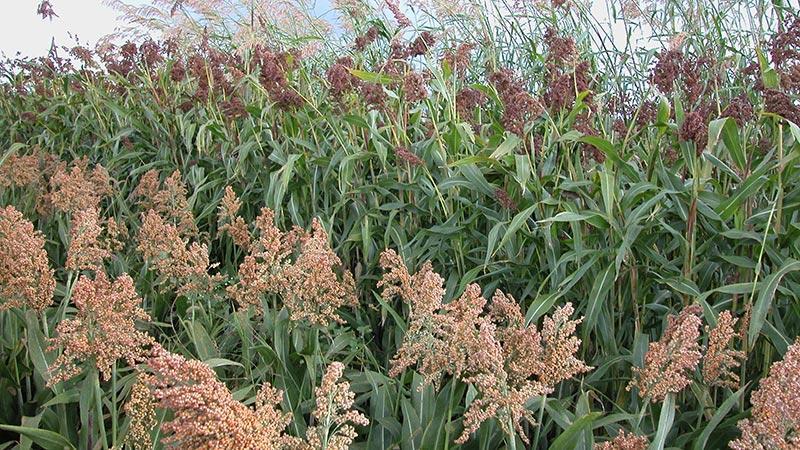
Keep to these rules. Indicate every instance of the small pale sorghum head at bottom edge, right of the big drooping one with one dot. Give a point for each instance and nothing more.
(334, 415)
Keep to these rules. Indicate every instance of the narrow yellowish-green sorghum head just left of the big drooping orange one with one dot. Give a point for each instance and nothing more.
(141, 410)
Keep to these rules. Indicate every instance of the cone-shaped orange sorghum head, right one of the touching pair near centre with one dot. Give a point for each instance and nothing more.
(311, 288)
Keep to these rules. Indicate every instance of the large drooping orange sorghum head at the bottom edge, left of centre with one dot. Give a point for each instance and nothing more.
(205, 414)
